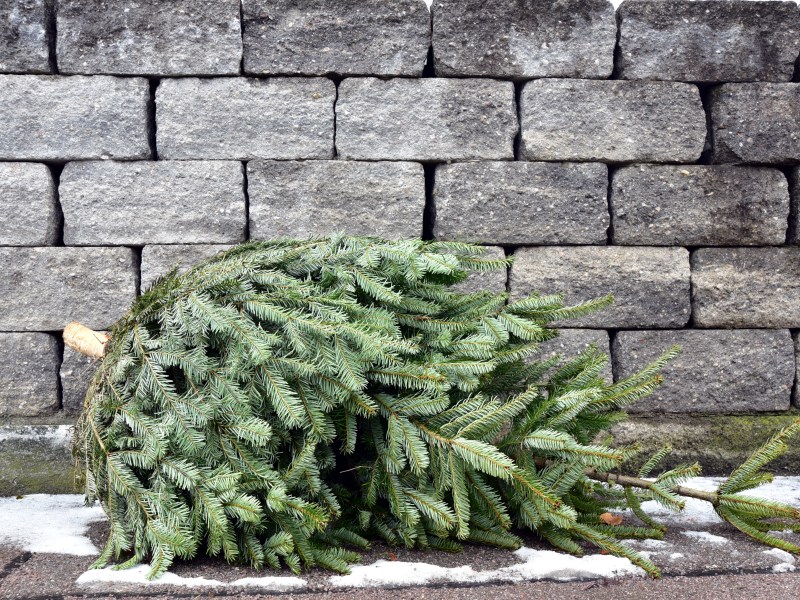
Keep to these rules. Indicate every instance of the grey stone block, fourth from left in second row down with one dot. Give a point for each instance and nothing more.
(611, 121)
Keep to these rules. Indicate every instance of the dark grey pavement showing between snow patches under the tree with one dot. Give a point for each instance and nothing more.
(736, 568)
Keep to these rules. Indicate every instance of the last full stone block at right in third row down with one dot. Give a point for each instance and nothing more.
(695, 205)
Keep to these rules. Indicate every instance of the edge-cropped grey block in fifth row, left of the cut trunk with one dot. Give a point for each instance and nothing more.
(28, 374)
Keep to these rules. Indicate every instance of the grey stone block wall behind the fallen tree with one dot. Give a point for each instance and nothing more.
(652, 152)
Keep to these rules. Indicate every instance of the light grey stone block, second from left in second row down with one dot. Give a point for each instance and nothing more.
(240, 119)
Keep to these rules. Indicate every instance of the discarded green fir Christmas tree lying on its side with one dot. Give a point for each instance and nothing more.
(286, 399)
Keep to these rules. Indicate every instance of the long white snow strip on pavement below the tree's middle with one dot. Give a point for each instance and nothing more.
(538, 564)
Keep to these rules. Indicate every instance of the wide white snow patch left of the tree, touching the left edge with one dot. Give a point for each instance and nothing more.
(46, 523)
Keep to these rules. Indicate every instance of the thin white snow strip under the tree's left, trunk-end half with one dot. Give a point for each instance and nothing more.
(138, 575)
